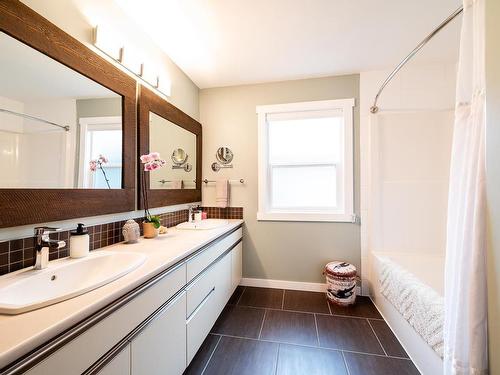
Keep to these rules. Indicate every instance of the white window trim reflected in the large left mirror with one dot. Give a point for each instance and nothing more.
(85, 178)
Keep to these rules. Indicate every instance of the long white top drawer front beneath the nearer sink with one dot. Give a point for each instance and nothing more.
(80, 353)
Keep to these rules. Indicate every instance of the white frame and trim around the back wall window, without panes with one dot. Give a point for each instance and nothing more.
(265, 212)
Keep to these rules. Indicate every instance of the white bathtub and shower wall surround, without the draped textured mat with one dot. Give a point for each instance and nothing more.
(405, 152)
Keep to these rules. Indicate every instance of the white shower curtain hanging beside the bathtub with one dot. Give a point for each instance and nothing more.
(465, 323)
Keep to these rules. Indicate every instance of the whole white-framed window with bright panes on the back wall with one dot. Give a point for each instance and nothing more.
(306, 161)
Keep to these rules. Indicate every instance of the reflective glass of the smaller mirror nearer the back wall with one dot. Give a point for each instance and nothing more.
(176, 145)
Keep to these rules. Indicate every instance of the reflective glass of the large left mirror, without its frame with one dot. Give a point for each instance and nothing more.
(53, 122)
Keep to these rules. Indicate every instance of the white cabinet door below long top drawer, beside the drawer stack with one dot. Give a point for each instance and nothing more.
(161, 347)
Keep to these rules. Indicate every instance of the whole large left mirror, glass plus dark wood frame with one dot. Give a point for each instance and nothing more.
(67, 125)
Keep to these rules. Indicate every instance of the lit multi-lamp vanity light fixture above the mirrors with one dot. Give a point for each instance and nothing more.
(107, 42)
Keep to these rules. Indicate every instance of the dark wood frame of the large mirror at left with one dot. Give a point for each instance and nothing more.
(29, 206)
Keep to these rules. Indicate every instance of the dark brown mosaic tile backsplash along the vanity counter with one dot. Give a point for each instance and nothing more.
(20, 253)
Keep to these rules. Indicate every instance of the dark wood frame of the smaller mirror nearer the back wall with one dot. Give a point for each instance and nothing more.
(150, 102)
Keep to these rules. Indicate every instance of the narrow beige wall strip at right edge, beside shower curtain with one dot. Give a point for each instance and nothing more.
(493, 177)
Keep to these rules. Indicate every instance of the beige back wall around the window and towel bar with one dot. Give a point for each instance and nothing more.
(293, 251)
